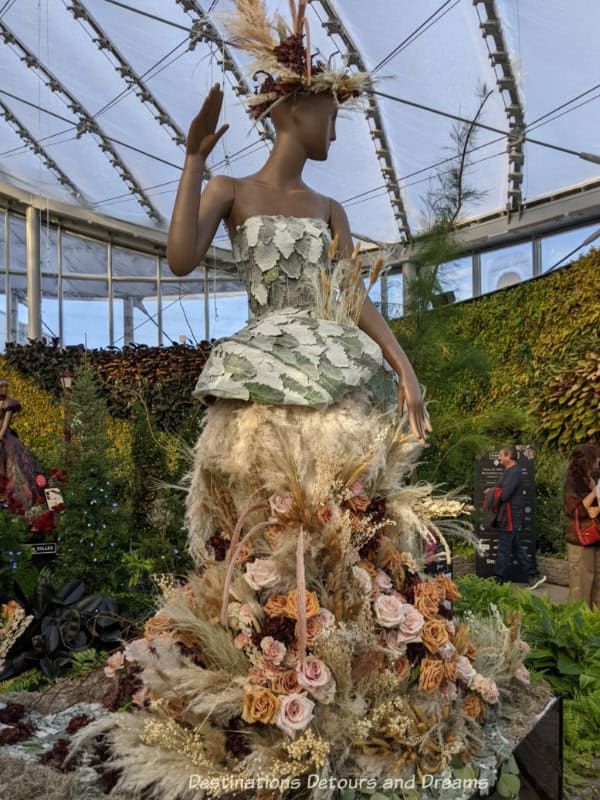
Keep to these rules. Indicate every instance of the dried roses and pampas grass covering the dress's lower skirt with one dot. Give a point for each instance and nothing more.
(308, 644)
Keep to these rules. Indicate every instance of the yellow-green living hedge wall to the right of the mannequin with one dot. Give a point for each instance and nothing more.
(541, 338)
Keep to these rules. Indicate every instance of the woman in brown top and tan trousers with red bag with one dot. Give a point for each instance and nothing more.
(581, 506)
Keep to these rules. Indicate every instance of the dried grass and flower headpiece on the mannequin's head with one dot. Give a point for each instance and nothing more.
(283, 58)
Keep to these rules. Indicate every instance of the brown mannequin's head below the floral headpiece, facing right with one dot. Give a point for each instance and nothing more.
(310, 120)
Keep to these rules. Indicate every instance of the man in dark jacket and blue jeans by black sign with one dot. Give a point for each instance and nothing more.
(510, 521)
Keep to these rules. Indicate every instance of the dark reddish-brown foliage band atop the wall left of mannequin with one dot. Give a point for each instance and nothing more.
(162, 377)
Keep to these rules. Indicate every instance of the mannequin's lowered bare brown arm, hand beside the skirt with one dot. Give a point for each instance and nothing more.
(375, 326)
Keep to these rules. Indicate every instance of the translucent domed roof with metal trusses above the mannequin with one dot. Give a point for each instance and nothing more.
(96, 97)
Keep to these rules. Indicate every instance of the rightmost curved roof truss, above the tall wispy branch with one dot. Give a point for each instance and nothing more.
(491, 27)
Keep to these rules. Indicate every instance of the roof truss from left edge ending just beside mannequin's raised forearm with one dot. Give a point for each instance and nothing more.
(86, 124)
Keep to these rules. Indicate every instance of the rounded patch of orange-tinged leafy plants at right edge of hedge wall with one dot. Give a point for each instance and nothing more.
(568, 410)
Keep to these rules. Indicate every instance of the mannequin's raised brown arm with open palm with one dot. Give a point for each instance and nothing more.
(193, 227)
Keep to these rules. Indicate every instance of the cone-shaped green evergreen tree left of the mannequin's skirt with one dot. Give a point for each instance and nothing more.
(94, 529)
